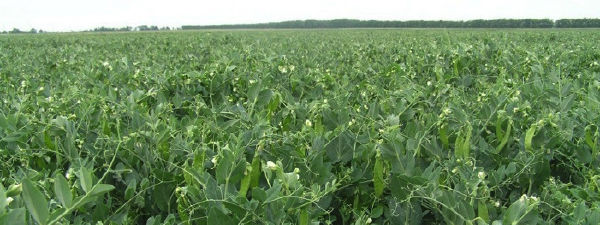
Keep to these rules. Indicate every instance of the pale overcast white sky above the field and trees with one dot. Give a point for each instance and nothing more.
(76, 15)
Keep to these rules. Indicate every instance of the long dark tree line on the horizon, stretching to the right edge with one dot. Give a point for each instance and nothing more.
(350, 23)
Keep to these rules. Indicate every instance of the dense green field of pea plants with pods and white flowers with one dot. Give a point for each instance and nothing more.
(301, 127)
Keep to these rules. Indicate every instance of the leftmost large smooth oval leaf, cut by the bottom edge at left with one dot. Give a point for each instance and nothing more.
(35, 201)
